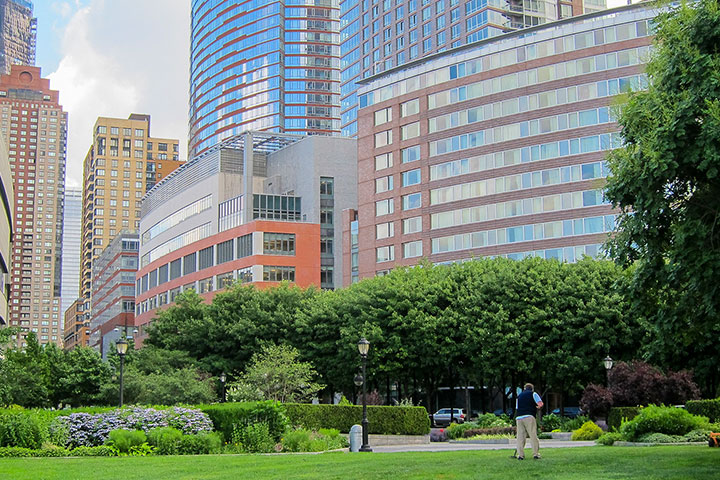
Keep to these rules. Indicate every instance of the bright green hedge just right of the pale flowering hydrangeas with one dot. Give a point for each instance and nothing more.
(226, 415)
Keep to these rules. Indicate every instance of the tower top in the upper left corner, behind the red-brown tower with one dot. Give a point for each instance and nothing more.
(17, 34)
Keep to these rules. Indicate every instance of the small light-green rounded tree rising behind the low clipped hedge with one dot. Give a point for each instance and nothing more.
(275, 373)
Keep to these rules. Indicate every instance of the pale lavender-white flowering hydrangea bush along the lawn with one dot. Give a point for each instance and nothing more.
(91, 430)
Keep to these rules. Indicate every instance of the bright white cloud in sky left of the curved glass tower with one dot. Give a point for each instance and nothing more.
(120, 58)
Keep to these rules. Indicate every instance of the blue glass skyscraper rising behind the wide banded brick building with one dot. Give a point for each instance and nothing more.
(377, 35)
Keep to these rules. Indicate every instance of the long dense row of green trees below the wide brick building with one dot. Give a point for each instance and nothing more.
(490, 321)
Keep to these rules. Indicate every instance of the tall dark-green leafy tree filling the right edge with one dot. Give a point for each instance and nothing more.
(666, 182)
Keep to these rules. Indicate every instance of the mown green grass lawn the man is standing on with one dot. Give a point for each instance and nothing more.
(670, 462)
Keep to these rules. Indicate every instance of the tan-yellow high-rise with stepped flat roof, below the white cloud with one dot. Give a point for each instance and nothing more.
(122, 164)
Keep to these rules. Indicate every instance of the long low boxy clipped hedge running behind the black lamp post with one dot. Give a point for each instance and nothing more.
(382, 420)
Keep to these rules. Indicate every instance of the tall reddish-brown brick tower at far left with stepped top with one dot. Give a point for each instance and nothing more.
(34, 127)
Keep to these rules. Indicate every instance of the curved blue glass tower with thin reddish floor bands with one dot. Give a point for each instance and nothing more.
(270, 65)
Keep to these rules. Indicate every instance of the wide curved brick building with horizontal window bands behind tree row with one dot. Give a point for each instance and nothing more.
(496, 148)
